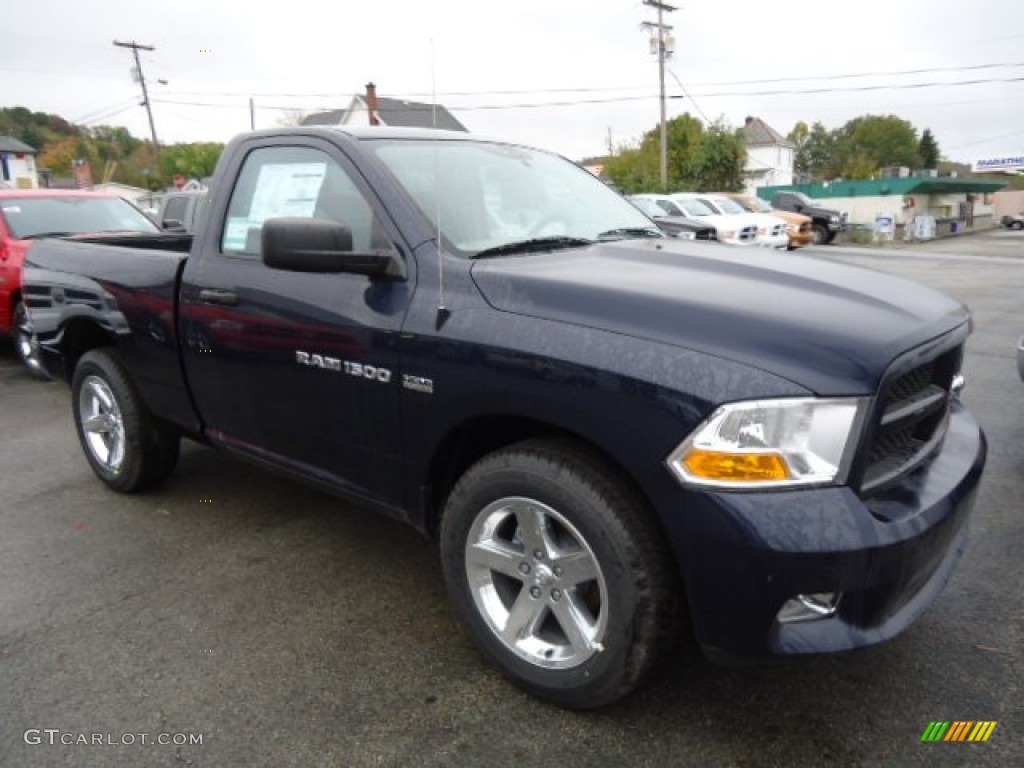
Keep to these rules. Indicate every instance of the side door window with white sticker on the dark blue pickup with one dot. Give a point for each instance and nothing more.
(296, 182)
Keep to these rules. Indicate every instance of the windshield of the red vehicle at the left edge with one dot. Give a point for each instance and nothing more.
(32, 217)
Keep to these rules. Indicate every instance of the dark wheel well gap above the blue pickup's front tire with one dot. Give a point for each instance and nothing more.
(479, 438)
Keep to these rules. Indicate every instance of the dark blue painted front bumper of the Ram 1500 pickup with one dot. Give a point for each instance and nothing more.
(745, 556)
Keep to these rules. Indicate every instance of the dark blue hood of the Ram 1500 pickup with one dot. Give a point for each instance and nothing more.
(830, 328)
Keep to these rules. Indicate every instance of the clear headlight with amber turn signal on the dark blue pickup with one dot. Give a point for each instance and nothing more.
(772, 444)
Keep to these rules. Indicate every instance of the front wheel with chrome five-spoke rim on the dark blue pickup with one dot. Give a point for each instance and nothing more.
(586, 622)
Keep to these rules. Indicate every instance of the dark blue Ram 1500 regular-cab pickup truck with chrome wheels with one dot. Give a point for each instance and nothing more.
(615, 436)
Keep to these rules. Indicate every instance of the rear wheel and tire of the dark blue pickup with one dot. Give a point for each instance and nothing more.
(125, 447)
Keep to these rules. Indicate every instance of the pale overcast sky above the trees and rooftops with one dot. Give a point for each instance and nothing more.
(488, 62)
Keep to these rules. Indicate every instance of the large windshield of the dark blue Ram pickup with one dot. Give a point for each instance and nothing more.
(488, 196)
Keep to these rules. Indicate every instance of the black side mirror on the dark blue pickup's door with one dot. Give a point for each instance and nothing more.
(317, 246)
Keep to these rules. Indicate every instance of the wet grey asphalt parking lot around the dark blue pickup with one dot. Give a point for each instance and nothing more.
(286, 628)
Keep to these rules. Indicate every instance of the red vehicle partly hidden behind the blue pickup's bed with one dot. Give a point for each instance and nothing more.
(28, 215)
